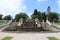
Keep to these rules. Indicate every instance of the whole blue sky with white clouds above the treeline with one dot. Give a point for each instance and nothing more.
(13, 7)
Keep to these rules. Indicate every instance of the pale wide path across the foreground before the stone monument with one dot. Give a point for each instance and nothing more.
(29, 36)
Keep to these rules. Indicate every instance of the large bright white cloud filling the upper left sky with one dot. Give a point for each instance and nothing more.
(11, 6)
